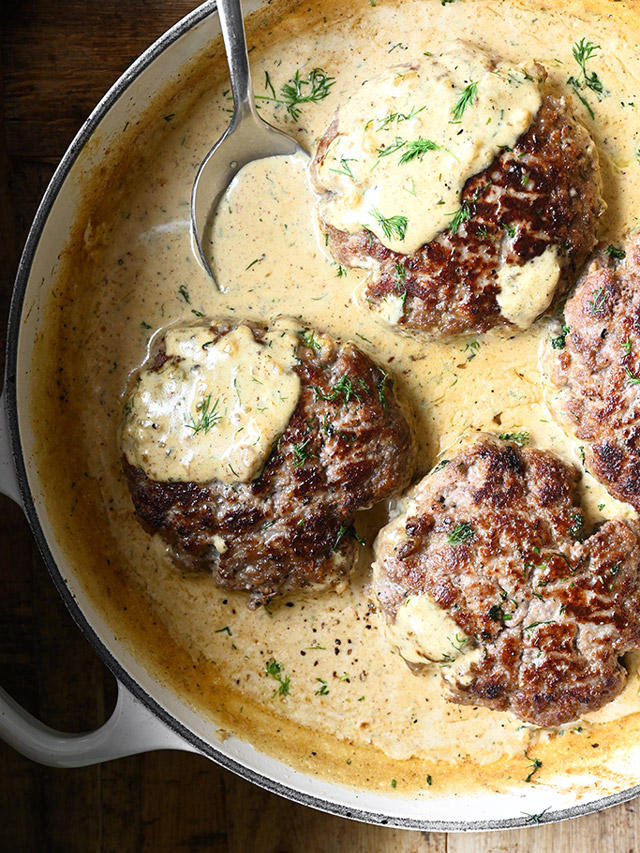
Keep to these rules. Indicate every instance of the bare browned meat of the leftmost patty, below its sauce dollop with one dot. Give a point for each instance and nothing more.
(347, 446)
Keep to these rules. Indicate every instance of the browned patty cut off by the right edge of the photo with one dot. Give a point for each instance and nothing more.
(597, 366)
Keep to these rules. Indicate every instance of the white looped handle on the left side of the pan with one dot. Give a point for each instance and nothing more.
(131, 729)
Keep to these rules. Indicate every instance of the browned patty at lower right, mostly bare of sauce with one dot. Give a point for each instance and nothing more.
(495, 538)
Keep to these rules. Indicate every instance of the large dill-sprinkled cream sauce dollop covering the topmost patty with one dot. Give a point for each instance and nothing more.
(409, 139)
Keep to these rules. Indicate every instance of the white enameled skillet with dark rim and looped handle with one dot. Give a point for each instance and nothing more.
(147, 715)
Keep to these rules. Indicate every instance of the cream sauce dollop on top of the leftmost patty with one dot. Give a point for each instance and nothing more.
(214, 408)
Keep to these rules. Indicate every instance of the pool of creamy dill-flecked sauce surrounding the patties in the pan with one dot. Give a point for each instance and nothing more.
(141, 276)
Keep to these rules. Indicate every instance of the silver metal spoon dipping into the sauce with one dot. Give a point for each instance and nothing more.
(247, 138)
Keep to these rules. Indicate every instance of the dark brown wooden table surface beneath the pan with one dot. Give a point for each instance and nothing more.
(57, 57)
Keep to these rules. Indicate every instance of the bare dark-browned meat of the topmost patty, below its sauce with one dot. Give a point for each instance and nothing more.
(544, 192)
